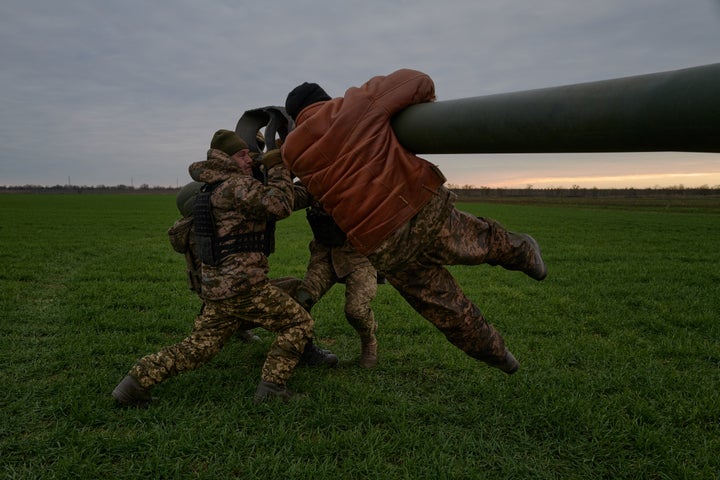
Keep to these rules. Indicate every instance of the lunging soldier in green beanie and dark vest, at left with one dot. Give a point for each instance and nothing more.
(232, 218)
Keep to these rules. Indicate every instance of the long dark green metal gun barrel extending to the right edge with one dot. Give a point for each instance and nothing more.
(667, 111)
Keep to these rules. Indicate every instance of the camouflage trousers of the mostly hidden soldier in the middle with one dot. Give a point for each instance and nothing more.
(360, 290)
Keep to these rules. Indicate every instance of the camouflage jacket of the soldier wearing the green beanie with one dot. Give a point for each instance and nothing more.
(241, 204)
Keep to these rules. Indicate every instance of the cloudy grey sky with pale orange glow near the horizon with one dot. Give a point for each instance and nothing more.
(130, 92)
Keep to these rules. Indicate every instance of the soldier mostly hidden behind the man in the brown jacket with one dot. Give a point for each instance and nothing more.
(333, 260)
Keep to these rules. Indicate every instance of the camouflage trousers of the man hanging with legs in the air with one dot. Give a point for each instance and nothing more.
(413, 260)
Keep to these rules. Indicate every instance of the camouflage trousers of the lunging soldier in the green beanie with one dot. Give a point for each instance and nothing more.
(265, 306)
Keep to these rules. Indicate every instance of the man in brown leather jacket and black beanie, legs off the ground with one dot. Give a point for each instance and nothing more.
(394, 208)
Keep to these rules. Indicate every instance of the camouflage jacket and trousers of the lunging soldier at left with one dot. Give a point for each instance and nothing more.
(236, 291)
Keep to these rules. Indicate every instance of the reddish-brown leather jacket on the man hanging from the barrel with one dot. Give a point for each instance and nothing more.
(346, 154)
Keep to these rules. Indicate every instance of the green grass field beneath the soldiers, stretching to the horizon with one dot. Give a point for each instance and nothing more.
(620, 353)
